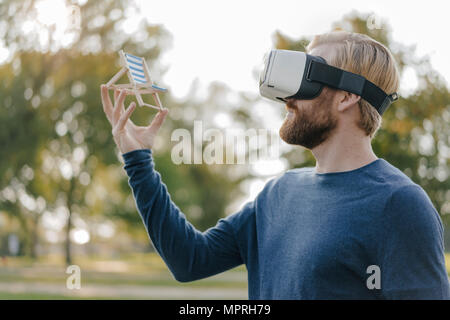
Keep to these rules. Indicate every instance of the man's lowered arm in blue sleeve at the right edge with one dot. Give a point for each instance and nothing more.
(413, 264)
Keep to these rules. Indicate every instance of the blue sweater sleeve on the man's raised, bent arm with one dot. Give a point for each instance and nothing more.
(188, 253)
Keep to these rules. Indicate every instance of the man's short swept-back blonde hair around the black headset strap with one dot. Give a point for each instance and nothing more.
(359, 53)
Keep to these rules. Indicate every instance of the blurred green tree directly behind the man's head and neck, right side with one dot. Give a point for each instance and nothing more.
(415, 130)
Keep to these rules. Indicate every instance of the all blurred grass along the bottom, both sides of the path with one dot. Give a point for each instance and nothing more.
(138, 270)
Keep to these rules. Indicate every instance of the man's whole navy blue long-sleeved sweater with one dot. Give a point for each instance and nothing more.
(307, 235)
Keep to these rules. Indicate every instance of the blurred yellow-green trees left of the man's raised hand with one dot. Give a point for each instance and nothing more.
(51, 91)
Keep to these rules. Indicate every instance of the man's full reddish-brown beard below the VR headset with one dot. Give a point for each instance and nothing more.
(312, 123)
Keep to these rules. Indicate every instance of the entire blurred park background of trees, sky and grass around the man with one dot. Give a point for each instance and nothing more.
(64, 196)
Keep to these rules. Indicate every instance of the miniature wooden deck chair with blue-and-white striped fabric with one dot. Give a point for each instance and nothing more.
(140, 81)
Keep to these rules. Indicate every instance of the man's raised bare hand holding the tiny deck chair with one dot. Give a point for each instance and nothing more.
(126, 134)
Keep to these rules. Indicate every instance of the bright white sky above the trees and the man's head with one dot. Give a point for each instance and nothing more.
(226, 41)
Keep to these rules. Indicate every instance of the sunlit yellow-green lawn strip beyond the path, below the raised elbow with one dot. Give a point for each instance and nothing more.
(137, 269)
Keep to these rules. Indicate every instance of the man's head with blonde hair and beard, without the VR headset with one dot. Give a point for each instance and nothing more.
(311, 122)
